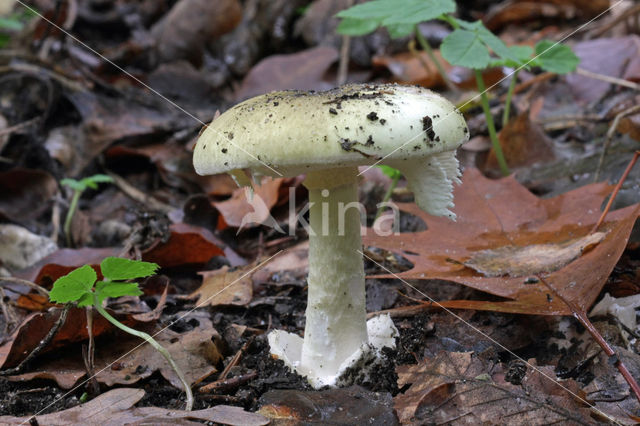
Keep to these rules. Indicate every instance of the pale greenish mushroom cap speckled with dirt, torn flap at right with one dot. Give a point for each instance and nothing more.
(293, 132)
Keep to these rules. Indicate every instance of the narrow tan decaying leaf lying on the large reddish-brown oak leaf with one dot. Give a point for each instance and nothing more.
(530, 260)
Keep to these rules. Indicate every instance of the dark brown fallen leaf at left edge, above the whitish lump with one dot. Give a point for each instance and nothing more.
(25, 194)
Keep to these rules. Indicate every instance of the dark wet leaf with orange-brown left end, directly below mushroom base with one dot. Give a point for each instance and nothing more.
(352, 405)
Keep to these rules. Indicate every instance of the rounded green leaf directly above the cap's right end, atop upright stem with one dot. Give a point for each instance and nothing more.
(464, 48)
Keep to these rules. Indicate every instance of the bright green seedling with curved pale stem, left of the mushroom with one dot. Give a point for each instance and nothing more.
(81, 287)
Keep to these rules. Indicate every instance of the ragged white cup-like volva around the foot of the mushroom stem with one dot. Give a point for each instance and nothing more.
(288, 347)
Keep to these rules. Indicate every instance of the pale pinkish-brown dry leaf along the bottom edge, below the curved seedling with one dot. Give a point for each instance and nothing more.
(116, 407)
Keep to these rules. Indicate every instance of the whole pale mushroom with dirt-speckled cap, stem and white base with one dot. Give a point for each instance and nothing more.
(326, 135)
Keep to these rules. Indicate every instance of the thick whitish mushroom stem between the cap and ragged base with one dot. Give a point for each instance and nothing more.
(336, 314)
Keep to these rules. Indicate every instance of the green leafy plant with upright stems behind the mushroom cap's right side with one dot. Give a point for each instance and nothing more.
(469, 45)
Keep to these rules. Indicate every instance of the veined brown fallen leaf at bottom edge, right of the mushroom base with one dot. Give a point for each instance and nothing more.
(459, 387)
